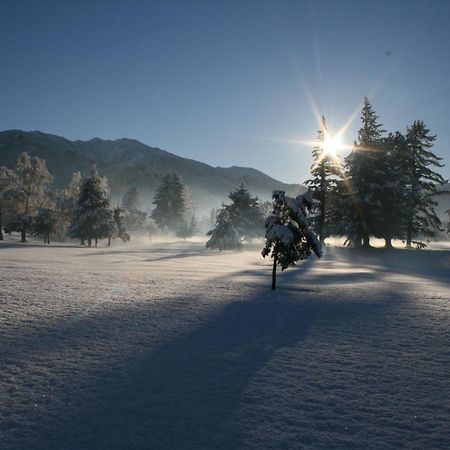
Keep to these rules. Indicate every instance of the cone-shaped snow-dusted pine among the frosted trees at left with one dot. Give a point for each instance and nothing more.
(93, 217)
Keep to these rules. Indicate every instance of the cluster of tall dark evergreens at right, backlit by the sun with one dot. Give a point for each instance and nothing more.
(385, 188)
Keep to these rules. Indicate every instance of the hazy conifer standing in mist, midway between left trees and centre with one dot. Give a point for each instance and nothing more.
(170, 203)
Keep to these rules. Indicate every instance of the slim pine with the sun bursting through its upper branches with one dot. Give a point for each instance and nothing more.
(322, 184)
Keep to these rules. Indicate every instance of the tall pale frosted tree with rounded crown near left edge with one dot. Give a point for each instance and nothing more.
(29, 193)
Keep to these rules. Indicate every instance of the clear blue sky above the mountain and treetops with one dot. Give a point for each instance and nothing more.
(224, 82)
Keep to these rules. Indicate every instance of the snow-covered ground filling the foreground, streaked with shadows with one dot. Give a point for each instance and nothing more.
(167, 346)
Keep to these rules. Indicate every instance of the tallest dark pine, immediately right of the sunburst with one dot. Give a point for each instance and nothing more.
(364, 180)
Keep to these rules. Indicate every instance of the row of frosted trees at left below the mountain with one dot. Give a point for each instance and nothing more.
(82, 210)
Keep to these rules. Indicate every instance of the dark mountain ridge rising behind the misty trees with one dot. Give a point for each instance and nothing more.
(128, 163)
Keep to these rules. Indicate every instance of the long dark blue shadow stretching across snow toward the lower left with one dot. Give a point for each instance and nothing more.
(183, 394)
